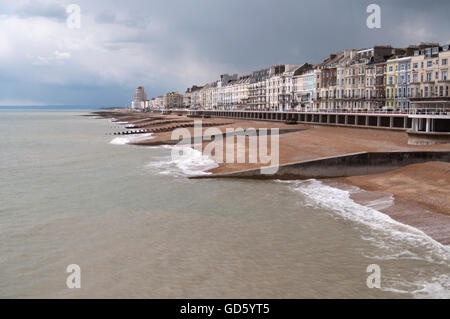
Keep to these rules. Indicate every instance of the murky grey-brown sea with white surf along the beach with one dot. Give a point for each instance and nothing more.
(136, 226)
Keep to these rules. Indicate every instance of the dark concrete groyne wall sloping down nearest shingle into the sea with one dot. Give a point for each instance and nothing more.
(339, 166)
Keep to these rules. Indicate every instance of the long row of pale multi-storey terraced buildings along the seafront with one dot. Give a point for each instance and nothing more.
(412, 82)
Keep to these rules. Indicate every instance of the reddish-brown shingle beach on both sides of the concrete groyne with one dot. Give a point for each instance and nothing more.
(418, 191)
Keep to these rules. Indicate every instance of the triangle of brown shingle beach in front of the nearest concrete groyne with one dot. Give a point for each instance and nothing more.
(425, 205)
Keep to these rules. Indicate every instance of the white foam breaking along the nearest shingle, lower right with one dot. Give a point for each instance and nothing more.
(397, 240)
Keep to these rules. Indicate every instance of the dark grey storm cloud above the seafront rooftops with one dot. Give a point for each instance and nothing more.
(255, 33)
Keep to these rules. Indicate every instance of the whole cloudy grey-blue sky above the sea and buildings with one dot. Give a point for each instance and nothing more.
(173, 44)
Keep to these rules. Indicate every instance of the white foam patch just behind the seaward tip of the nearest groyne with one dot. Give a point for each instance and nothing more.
(183, 161)
